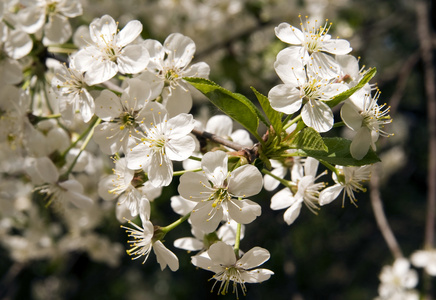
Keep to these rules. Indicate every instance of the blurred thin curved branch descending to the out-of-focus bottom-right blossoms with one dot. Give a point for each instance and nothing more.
(377, 207)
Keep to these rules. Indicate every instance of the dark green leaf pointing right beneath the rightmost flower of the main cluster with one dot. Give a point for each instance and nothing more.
(338, 153)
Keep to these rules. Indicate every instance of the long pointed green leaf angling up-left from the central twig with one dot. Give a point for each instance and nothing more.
(237, 106)
